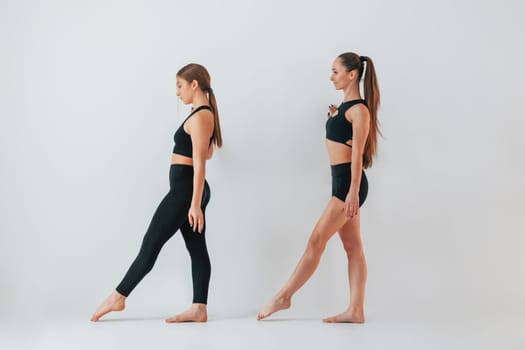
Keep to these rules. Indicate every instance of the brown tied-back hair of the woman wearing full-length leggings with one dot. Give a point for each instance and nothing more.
(194, 71)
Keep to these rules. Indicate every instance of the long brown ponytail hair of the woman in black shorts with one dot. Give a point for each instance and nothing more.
(353, 61)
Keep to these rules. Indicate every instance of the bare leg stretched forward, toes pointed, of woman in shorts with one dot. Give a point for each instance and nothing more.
(332, 219)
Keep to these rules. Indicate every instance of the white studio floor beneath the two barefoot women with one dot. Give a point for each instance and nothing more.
(128, 331)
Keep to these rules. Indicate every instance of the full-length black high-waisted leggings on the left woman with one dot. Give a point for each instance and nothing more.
(170, 216)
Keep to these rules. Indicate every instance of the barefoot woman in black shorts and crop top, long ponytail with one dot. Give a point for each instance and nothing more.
(351, 140)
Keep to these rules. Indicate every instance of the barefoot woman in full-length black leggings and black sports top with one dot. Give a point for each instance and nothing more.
(184, 205)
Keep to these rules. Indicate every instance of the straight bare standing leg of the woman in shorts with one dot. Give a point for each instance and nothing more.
(351, 238)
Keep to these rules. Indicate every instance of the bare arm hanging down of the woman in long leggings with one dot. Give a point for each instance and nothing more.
(200, 128)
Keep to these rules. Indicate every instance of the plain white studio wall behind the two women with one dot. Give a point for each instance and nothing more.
(88, 111)
